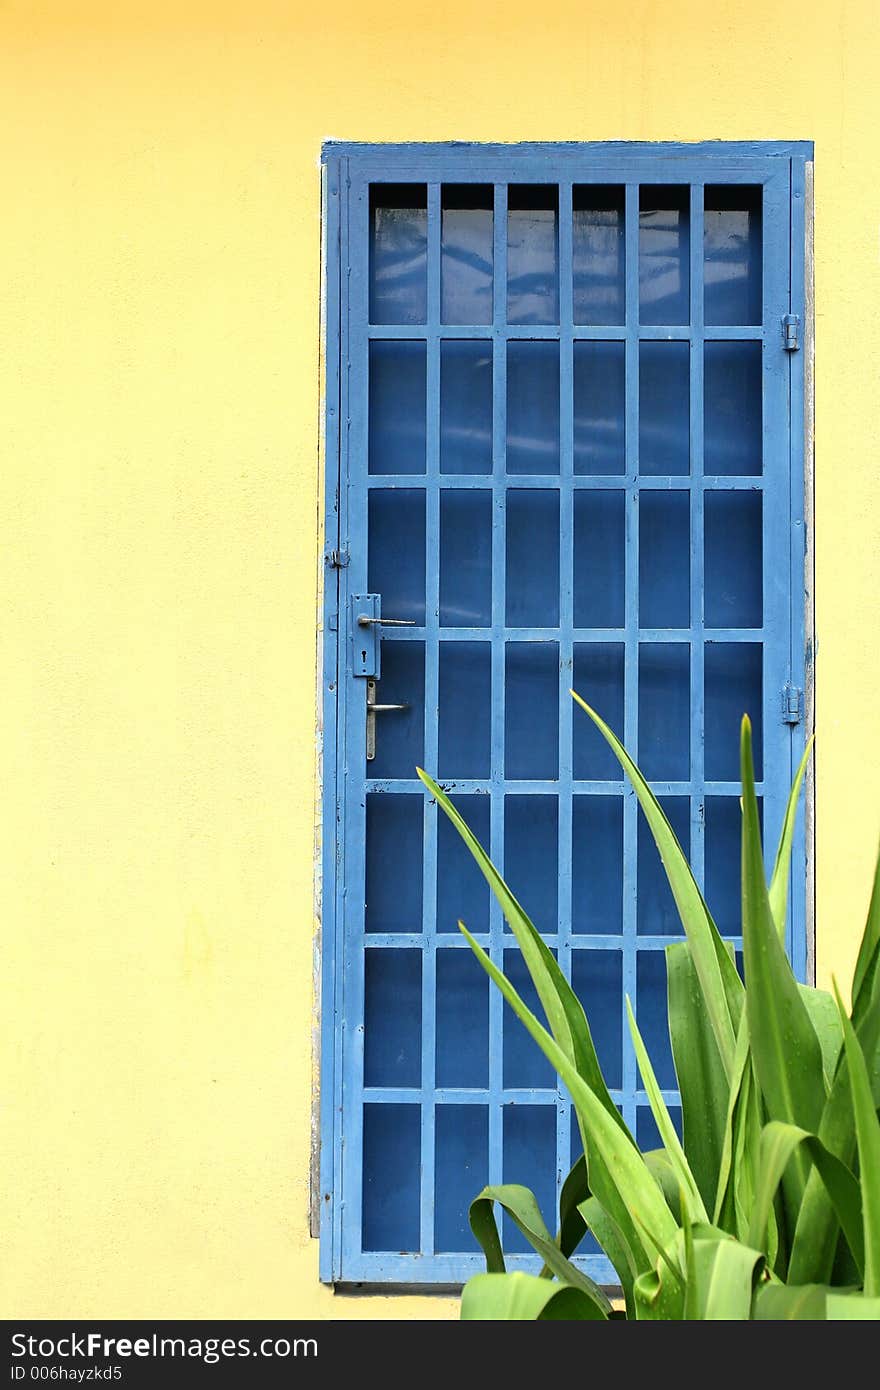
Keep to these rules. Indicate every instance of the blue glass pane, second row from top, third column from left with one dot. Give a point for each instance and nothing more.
(533, 408)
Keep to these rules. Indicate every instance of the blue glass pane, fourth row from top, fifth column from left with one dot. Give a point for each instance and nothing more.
(665, 711)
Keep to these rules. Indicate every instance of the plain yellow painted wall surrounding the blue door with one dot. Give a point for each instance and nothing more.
(159, 270)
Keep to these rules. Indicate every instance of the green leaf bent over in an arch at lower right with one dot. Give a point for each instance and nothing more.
(778, 1143)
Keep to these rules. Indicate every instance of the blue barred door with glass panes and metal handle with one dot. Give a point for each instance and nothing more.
(564, 450)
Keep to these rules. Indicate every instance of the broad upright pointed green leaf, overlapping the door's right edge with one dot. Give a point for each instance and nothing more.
(786, 1052)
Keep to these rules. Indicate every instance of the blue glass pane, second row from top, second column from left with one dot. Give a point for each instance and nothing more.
(466, 407)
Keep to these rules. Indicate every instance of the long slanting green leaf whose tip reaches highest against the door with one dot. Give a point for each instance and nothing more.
(718, 976)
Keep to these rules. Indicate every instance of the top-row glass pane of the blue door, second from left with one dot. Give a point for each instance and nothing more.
(466, 254)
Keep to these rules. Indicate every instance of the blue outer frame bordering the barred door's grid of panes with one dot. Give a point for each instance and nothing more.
(348, 172)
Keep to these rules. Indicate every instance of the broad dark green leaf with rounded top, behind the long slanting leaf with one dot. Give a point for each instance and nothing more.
(704, 1086)
